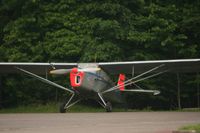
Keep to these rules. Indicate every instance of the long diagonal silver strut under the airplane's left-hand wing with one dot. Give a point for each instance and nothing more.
(44, 80)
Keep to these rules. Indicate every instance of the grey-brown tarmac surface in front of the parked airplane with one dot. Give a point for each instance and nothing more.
(126, 122)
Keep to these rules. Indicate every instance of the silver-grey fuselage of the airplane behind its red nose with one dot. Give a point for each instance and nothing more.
(96, 82)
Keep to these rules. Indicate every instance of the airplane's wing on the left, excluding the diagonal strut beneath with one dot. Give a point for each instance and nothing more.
(37, 68)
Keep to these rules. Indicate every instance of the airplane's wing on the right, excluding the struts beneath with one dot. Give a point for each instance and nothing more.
(178, 65)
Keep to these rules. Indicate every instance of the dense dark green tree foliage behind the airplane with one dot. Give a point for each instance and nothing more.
(93, 30)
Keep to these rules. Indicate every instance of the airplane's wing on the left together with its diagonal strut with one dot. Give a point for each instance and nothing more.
(32, 69)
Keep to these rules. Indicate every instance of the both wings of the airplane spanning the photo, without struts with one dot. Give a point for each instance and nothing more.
(178, 65)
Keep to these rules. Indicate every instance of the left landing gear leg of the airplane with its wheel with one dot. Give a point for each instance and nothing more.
(65, 106)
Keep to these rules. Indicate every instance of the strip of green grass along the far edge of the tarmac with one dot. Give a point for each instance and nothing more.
(54, 108)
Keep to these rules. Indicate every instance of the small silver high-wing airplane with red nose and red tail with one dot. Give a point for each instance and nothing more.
(91, 80)
